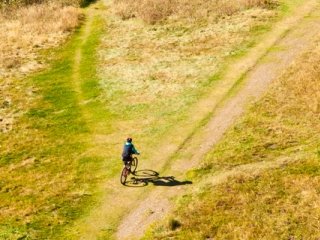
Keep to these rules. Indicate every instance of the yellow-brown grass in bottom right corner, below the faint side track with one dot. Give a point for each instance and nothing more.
(278, 204)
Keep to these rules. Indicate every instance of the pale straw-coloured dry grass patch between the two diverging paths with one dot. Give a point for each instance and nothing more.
(158, 62)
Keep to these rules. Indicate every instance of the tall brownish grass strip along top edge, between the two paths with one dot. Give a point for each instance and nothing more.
(152, 11)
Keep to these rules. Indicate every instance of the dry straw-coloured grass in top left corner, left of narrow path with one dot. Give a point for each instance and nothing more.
(24, 31)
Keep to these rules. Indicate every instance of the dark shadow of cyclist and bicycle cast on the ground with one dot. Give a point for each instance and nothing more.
(144, 177)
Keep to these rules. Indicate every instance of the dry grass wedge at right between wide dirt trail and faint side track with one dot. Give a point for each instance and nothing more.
(286, 119)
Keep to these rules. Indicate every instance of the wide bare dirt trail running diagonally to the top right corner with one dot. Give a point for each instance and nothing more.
(288, 39)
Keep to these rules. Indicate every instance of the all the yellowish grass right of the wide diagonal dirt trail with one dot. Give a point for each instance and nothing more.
(282, 203)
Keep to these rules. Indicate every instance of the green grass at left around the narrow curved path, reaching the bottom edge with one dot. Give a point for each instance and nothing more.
(57, 186)
